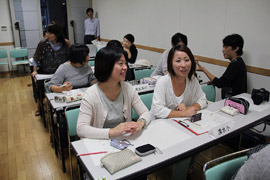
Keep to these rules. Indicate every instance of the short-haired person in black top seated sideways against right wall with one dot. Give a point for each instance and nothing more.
(234, 79)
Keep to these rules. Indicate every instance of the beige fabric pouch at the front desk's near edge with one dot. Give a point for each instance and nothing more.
(117, 161)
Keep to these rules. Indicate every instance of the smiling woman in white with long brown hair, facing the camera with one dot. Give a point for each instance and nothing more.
(178, 94)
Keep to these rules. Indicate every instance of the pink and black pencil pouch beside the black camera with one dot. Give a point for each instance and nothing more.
(240, 104)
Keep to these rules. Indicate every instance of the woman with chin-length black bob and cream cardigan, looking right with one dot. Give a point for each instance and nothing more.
(106, 106)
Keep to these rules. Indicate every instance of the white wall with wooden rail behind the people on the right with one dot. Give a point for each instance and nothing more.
(206, 23)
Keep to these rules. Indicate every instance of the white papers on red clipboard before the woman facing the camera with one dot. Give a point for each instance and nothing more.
(209, 121)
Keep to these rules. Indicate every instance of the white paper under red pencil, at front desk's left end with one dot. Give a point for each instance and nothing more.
(94, 145)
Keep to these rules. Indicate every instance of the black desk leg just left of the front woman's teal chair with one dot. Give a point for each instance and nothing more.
(61, 127)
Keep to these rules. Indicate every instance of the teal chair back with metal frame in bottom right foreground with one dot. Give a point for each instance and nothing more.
(224, 167)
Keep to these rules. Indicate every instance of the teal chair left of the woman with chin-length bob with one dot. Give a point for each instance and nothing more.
(72, 114)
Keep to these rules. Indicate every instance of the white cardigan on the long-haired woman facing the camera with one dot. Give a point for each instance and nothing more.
(164, 99)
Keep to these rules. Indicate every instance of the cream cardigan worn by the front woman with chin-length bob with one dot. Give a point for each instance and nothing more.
(93, 114)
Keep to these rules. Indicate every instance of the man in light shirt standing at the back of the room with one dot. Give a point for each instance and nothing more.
(91, 26)
